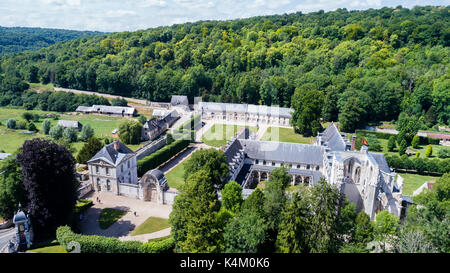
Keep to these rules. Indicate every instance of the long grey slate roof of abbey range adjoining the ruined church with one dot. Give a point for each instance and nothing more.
(283, 151)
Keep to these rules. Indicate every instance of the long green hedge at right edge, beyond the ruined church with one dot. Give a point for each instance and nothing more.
(420, 165)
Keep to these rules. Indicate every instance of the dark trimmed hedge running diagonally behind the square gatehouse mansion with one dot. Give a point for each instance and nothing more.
(162, 155)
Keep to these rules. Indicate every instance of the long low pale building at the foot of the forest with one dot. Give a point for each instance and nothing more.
(248, 113)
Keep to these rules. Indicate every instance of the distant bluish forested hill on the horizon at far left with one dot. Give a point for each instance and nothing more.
(18, 39)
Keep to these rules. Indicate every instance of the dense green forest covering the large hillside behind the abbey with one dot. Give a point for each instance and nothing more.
(357, 67)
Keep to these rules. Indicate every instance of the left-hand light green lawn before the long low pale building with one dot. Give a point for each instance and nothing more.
(219, 134)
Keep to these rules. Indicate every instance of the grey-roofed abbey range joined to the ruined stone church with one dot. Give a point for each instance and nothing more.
(363, 176)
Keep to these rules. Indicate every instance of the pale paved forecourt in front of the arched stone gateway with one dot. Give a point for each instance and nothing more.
(123, 227)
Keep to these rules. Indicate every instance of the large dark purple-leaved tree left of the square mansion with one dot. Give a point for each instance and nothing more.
(50, 183)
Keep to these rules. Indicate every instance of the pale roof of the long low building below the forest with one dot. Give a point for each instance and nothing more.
(245, 108)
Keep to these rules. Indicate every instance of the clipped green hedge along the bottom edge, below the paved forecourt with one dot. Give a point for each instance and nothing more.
(102, 244)
